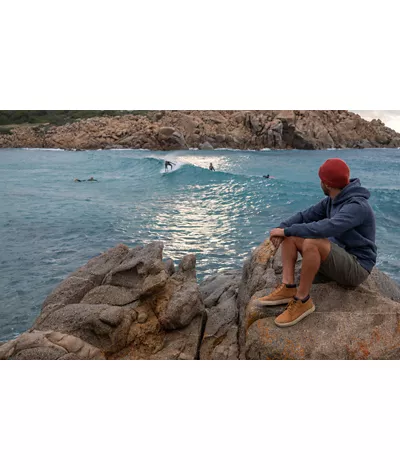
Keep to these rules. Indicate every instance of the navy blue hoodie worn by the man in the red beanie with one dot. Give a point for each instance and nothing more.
(347, 220)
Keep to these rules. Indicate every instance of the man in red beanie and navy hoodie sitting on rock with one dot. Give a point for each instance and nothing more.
(336, 239)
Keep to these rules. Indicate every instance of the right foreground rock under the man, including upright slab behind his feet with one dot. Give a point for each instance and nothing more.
(349, 323)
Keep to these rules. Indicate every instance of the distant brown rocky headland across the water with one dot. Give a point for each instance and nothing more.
(175, 130)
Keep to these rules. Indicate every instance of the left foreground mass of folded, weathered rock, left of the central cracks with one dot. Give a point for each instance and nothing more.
(125, 303)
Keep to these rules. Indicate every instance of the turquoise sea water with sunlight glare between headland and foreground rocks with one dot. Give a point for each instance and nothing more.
(50, 225)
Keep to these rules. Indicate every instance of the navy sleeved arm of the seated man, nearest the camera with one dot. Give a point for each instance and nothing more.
(350, 216)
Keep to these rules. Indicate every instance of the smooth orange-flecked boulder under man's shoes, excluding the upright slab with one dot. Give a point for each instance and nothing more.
(347, 324)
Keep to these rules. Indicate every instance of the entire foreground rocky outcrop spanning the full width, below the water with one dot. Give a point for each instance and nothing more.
(132, 304)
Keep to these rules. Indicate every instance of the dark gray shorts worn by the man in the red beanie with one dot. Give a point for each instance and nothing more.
(342, 267)
